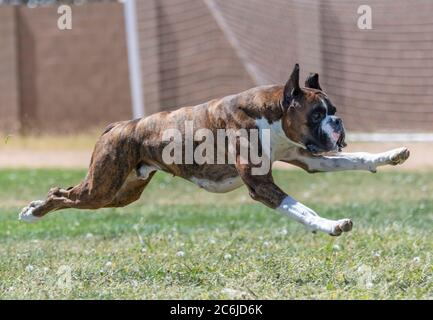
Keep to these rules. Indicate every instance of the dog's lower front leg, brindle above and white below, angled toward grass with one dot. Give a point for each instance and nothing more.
(262, 188)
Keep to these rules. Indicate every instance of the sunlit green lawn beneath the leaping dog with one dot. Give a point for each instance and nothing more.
(233, 247)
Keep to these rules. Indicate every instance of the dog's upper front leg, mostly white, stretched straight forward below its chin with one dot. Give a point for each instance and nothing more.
(350, 161)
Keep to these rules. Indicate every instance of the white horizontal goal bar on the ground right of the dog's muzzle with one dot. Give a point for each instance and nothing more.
(390, 137)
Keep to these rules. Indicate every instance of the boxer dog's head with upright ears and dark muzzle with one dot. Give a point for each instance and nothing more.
(309, 116)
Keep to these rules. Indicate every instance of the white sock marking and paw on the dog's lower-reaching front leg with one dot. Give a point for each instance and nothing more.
(311, 219)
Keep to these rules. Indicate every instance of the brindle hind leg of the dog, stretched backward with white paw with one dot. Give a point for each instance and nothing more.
(112, 162)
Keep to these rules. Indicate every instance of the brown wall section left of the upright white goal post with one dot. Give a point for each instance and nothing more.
(69, 80)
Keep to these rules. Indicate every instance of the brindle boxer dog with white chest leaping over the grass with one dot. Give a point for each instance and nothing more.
(304, 131)
